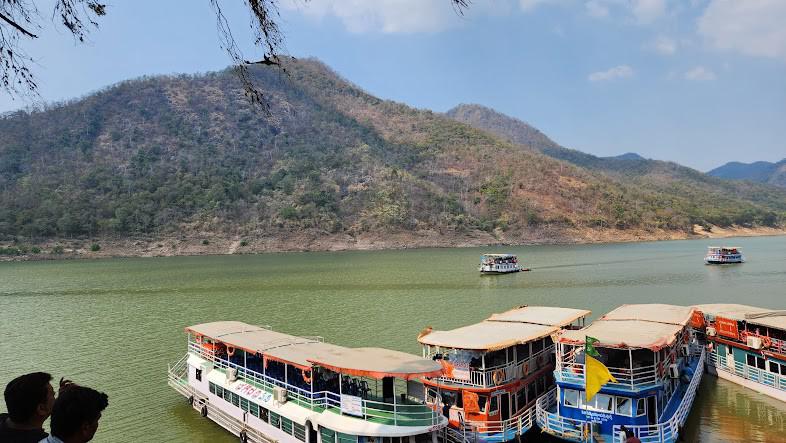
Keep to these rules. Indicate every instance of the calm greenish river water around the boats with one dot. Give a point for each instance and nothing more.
(115, 324)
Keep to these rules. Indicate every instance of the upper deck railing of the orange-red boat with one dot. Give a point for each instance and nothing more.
(501, 374)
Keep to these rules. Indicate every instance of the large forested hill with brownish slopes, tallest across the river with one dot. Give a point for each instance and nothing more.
(189, 155)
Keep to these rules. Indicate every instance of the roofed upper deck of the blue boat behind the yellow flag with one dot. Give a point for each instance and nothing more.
(636, 342)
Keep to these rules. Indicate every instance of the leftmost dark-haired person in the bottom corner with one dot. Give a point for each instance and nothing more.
(29, 399)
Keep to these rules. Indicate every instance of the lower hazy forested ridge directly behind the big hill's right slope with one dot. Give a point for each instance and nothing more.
(718, 201)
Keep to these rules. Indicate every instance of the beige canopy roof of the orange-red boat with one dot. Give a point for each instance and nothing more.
(517, 326)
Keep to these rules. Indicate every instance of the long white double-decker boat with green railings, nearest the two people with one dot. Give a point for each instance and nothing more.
(266, 386)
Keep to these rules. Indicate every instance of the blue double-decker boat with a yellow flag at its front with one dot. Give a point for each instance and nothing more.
(657, 361)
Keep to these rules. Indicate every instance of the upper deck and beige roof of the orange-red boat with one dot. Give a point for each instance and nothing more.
(501, 349)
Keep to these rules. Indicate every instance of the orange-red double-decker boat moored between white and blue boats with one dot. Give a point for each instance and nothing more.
(494, 371)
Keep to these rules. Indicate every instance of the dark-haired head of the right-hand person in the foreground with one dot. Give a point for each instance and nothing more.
(76, 413)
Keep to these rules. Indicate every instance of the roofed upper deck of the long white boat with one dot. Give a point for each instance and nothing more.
(354, 385)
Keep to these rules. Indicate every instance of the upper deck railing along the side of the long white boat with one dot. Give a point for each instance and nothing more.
(398, 414)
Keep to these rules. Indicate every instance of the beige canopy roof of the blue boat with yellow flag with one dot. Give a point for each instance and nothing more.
(644, 326)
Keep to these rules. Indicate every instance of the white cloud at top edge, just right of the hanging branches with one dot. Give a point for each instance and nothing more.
(387, 16)
